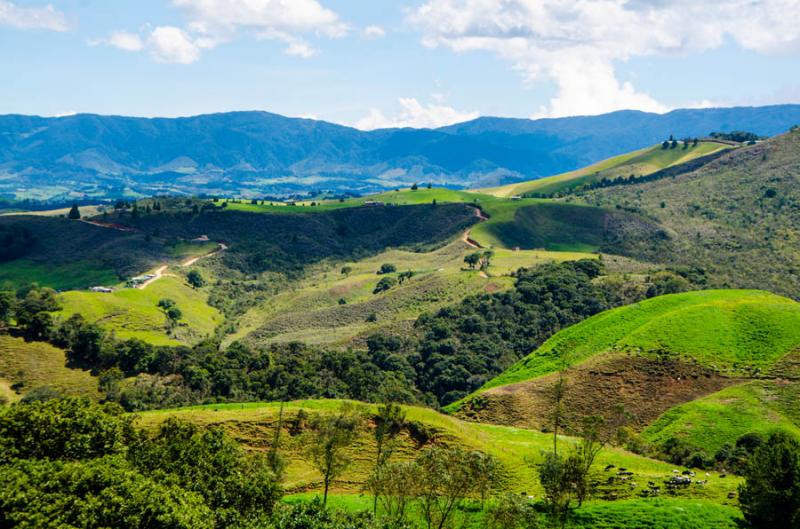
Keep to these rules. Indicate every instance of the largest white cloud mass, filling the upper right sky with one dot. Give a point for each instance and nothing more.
(577, 44)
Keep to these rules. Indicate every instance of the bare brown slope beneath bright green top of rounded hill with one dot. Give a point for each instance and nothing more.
(645, 387)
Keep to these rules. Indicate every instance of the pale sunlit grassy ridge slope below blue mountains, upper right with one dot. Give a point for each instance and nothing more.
(640, 163)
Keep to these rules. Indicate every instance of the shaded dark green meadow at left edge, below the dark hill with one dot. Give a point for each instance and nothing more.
(60, 277)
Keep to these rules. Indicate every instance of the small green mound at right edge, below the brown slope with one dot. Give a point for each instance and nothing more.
(723, 417)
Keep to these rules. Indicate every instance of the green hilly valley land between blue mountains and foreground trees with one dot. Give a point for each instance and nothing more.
(651, 302)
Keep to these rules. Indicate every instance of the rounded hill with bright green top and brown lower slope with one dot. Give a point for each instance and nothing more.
(649, 357)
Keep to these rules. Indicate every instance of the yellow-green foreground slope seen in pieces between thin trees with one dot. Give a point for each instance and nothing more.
(515, 448)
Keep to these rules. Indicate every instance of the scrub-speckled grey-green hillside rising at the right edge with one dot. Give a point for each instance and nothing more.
(738, 216)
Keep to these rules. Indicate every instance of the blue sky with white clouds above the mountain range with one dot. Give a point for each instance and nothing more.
(383, 63)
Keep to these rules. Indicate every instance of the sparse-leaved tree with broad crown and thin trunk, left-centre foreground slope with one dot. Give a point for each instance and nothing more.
(327, 440)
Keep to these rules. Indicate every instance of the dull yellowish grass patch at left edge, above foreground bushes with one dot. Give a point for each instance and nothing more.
(35, 364)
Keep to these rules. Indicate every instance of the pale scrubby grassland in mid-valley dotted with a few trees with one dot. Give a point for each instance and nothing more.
(310, 310)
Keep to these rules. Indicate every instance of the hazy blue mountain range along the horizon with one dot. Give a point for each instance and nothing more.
(258, 153)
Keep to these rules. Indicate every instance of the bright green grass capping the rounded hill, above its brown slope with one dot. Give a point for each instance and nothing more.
(733, 331)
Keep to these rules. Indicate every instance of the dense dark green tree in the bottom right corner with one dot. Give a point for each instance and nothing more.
(770, 496)
